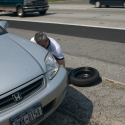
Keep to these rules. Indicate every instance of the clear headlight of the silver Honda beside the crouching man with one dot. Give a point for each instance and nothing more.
(51, 65)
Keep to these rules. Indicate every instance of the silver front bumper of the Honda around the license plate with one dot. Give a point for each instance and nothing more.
(53, 94)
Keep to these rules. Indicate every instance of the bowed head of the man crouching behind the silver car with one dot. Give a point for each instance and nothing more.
(41, 39)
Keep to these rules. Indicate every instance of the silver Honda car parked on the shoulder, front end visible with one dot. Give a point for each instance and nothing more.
(32, 84)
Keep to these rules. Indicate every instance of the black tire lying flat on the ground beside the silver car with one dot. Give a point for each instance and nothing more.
(83, 76)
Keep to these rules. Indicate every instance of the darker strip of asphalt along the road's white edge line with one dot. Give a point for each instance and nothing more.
(111, 35)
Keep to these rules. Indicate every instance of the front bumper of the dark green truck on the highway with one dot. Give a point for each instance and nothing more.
(35, 8)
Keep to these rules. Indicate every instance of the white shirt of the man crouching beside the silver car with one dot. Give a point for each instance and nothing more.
(54, 48)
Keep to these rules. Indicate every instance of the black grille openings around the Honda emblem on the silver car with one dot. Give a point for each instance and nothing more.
(25, 92)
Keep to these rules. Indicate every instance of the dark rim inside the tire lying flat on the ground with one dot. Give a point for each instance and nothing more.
(83, 74)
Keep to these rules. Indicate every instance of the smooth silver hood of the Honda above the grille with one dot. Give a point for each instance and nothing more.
(20, 62)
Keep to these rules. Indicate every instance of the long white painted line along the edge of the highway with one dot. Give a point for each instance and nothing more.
(66, 24)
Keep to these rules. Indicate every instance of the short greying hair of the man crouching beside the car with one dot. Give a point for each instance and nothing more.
(40, 37)
